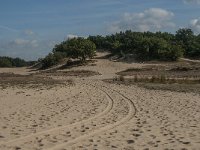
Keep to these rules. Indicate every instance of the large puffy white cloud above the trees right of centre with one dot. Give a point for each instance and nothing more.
(150, 20)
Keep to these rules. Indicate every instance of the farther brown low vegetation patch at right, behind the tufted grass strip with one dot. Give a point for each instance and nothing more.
(173, 70)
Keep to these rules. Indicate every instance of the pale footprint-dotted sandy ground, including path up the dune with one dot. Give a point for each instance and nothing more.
(92, 114)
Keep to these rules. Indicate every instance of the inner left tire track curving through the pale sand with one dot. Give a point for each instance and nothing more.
(107, 110)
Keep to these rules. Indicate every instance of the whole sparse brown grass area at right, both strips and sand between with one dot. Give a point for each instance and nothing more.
(182, 77)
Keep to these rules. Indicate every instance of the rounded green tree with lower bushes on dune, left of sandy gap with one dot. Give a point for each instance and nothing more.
(76, 48)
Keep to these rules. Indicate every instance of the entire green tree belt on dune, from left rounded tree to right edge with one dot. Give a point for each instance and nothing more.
(141, 45)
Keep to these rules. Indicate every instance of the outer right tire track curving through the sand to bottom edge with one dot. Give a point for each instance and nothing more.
(131, 114)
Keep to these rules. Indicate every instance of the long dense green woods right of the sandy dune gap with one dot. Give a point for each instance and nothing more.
(151, 46)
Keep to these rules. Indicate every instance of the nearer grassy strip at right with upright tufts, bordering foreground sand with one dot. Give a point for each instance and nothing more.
(160, 83)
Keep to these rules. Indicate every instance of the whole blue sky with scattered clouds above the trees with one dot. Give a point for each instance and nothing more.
(29, 29)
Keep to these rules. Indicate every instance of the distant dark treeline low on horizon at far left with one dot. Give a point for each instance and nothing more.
(14, 62)
